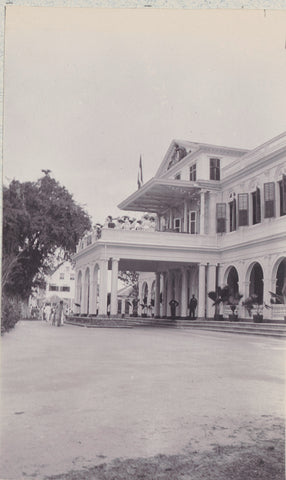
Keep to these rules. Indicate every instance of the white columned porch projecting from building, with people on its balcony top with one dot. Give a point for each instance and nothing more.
(176, 274)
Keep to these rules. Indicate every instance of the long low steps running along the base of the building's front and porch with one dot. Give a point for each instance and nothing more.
(246, 328)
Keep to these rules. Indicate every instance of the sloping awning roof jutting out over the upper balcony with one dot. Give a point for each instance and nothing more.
(158, 194)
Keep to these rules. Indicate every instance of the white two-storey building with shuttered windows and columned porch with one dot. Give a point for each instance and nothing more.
(221, 219)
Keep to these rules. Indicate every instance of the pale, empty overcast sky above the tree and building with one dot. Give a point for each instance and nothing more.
(88, 90)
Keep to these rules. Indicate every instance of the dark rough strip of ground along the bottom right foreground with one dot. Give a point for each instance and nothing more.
(242, 462)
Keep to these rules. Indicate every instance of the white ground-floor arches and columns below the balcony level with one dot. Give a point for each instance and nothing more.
(179, 283)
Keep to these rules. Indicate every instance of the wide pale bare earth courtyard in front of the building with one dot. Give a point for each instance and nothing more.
(81, 403)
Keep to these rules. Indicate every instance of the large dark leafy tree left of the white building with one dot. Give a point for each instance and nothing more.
(39, 219)
